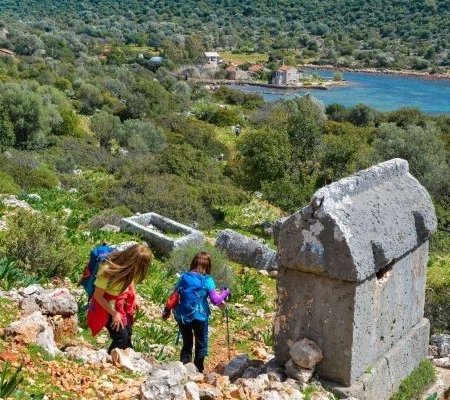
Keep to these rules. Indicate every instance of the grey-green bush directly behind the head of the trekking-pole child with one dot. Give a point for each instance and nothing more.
(223, 274)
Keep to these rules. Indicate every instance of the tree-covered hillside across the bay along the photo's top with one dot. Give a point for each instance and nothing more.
(384, 34)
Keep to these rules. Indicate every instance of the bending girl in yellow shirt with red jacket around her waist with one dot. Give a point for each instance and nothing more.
(114, 301)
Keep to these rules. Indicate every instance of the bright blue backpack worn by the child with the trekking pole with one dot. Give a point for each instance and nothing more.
(193, 298)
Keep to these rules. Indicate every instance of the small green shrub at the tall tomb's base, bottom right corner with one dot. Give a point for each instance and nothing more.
(414, 385)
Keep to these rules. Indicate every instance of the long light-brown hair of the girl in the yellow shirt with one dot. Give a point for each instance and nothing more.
(126, 266)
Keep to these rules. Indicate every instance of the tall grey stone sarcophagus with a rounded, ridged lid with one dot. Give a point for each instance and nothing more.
(352, 274)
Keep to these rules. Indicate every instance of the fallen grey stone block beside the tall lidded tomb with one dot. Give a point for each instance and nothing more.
(247, 251)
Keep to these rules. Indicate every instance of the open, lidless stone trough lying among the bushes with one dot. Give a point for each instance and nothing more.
(162, 234)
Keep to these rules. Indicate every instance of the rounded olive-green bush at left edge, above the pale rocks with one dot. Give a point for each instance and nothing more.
(39, 244)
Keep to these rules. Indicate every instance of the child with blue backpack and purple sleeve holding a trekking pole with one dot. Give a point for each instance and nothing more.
(192, 311)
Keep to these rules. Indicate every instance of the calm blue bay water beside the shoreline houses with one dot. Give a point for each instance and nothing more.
(382, 92)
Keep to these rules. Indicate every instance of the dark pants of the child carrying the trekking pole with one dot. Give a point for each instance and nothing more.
(197, 330)
